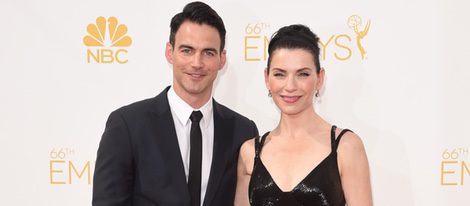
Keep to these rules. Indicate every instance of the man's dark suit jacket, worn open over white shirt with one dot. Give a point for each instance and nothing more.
(139, 161)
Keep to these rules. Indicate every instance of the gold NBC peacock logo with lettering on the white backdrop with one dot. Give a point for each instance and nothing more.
(105, 40)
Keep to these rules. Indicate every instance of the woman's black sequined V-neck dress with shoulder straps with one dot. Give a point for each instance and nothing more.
(321, 187)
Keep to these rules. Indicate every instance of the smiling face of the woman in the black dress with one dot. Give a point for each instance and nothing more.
(293, 80)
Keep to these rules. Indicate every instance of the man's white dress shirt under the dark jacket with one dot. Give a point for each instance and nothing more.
(181, 112)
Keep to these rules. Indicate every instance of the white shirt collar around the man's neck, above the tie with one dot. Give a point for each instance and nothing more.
(183, 111)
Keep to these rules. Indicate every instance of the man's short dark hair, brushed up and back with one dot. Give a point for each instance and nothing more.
(200, 13)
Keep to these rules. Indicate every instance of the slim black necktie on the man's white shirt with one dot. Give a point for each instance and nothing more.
(195, 159)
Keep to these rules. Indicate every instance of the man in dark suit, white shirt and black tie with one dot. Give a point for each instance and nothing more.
(160, 151)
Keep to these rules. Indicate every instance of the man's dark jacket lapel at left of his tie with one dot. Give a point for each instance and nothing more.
(168, 143)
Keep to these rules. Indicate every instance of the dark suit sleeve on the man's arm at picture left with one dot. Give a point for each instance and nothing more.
(113, 180)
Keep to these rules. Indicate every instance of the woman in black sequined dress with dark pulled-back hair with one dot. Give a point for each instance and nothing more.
(304, 160)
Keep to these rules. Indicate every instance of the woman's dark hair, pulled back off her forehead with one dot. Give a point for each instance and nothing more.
(295, 36)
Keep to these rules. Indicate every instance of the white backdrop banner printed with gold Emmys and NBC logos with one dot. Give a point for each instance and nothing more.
(396, 73)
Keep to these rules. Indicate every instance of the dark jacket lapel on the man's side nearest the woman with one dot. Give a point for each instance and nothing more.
(223, 141)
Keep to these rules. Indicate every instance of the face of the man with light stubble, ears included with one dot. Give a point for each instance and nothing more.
(196, 59)
